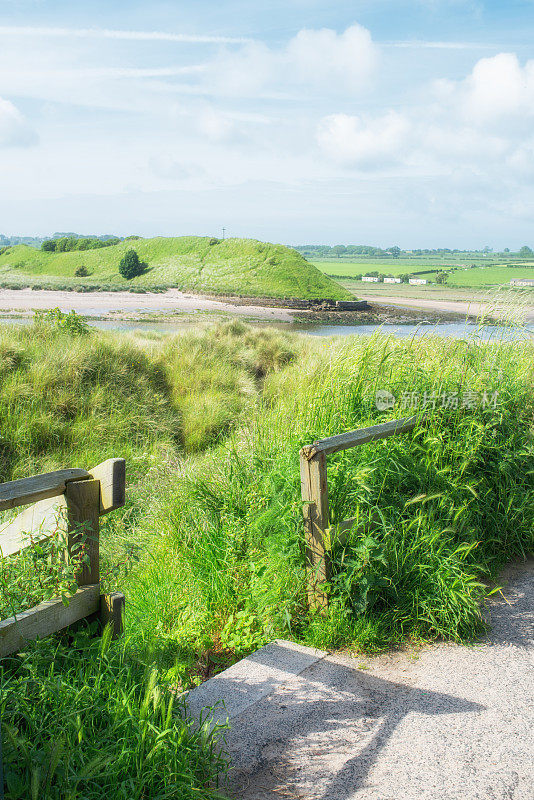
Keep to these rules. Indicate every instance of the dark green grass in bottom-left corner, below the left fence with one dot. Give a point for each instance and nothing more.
(79, 724)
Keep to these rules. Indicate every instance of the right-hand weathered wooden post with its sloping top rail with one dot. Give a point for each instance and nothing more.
(314, 485)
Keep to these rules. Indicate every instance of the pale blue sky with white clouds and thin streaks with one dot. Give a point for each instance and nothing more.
(380, 122)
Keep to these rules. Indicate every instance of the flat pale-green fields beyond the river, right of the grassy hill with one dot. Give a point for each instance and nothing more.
(490, 275)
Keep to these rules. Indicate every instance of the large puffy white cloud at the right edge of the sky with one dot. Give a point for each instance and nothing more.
(481, 125)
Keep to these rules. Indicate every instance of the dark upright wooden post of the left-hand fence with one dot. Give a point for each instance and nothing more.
(83, 510)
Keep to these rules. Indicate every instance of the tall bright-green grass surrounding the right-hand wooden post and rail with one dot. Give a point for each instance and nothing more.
(455, 501)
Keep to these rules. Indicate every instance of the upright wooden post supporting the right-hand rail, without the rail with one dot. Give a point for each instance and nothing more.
(316, 522)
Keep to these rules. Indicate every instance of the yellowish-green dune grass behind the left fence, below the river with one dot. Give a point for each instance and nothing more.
(78, 400)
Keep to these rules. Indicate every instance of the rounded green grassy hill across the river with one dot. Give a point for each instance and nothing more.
(244, 267)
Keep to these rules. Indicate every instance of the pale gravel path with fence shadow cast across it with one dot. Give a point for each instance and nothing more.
(448, 723)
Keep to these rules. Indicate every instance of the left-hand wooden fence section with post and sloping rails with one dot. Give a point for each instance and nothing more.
(72, 501)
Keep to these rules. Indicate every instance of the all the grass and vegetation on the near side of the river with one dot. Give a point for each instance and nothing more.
(212, 541)
